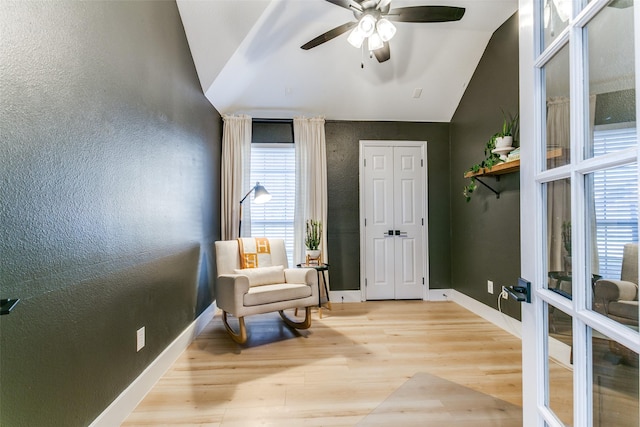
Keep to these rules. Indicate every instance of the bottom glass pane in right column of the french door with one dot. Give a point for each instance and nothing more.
(615, 383)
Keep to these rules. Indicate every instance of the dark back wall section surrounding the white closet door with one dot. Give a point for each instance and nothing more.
(343, 222)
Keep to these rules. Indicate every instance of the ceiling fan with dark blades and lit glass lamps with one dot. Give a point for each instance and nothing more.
(373, 23)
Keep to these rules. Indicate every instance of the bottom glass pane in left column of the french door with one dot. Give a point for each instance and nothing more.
(560, 375)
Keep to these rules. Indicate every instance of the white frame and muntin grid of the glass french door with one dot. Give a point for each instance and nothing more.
(533, 247)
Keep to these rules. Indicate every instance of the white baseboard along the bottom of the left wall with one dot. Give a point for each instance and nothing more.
(126, 402)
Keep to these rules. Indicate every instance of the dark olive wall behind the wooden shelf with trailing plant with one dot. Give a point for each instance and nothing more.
(485, 243)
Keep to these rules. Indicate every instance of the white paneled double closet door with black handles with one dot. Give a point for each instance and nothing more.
(392, 204)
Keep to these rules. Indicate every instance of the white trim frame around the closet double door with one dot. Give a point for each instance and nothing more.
(425, 231)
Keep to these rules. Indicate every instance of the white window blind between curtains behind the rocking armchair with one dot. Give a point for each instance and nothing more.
(273, 165)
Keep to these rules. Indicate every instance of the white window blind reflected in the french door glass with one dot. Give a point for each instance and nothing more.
(616, 200)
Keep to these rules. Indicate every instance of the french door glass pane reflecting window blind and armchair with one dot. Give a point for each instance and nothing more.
(612, 208)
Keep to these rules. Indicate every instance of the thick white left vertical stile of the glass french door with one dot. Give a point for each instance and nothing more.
(532, 112)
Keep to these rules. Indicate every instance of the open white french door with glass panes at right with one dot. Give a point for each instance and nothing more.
(579, 68)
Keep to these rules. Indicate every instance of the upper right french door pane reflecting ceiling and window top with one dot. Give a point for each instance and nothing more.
(611, 64)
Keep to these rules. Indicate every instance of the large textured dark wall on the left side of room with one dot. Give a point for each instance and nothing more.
(109, 200)
